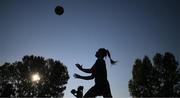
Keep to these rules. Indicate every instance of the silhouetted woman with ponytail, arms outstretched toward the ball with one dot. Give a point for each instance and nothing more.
(99, 72)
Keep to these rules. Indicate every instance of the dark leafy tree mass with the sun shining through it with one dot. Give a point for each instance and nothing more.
(16, 78)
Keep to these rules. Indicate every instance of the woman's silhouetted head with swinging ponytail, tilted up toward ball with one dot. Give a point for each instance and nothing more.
(102, 52)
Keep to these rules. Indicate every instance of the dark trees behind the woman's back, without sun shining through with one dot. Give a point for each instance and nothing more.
(160, 79)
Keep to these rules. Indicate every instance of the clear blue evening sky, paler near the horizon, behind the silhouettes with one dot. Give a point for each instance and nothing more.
(129, 29)
